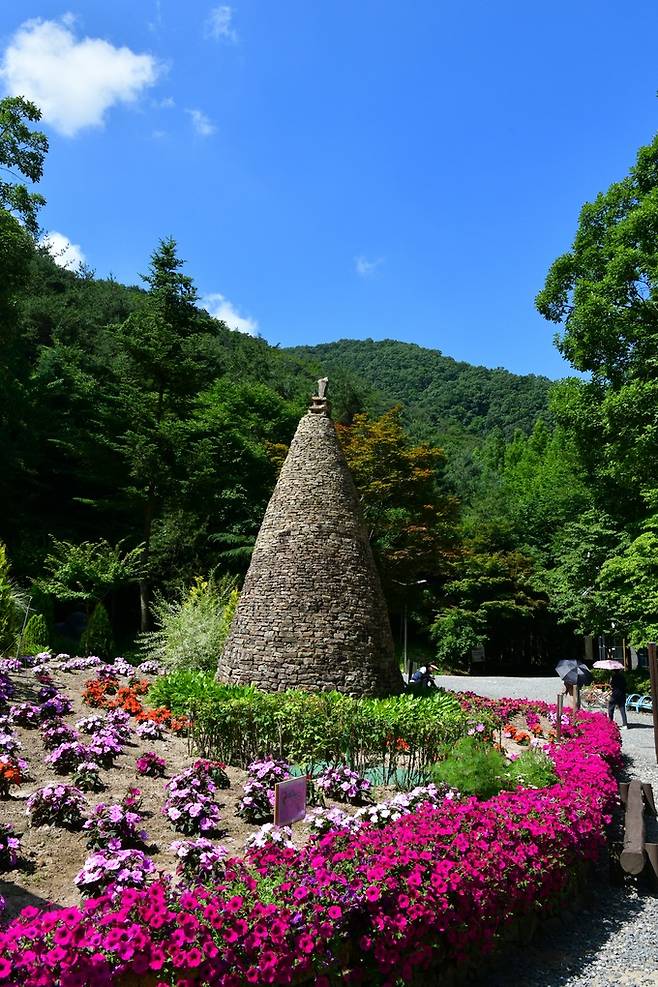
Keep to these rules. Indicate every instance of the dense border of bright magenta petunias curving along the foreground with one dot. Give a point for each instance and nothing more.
(369, 906)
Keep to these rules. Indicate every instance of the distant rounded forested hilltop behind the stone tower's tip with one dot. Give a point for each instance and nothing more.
(444, 399)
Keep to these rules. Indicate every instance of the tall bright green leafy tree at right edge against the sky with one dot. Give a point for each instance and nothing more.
(604, 294)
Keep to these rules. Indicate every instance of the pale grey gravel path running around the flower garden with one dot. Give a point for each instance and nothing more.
(610, 941)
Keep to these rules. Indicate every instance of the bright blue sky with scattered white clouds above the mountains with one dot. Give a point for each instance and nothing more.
(338, 168)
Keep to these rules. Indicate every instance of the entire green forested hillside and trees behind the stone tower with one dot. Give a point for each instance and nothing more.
(140, 440)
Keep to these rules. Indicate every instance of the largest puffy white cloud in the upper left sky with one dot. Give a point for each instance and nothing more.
(74, 81)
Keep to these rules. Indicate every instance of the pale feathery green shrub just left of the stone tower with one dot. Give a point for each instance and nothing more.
(192, 628)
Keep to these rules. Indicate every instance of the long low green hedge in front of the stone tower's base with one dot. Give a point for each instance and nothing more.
(399, 737)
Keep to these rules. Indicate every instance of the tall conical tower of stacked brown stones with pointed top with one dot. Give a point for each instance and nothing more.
(312, 614)
